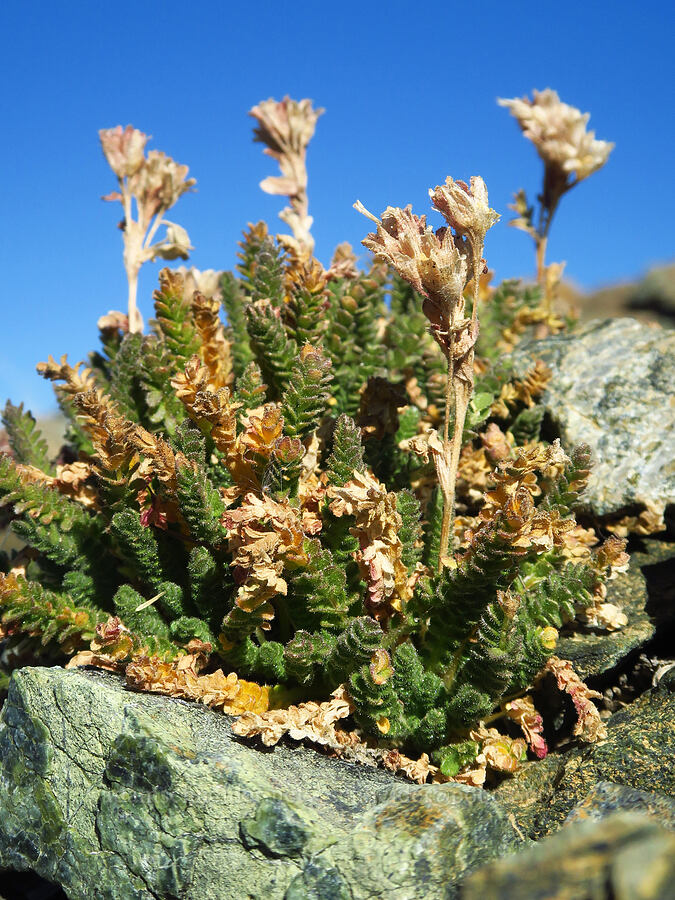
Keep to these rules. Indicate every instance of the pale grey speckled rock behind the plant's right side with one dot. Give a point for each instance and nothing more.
(612, 388)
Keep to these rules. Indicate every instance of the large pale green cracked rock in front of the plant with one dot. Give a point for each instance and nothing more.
(124, 796)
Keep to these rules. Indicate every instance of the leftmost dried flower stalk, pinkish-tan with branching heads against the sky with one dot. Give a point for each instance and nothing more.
(155, 183)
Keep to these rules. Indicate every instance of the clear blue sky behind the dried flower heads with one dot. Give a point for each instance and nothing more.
(409, 90)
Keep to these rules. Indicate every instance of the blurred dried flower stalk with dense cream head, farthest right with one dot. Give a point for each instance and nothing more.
(570, 154)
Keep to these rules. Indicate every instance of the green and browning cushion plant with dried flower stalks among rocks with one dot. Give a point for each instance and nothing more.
(339, 492)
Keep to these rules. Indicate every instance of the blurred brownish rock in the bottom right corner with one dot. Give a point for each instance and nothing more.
(624, 857)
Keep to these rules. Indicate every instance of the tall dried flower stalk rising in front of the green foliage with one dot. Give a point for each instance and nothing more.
(438, 265)
